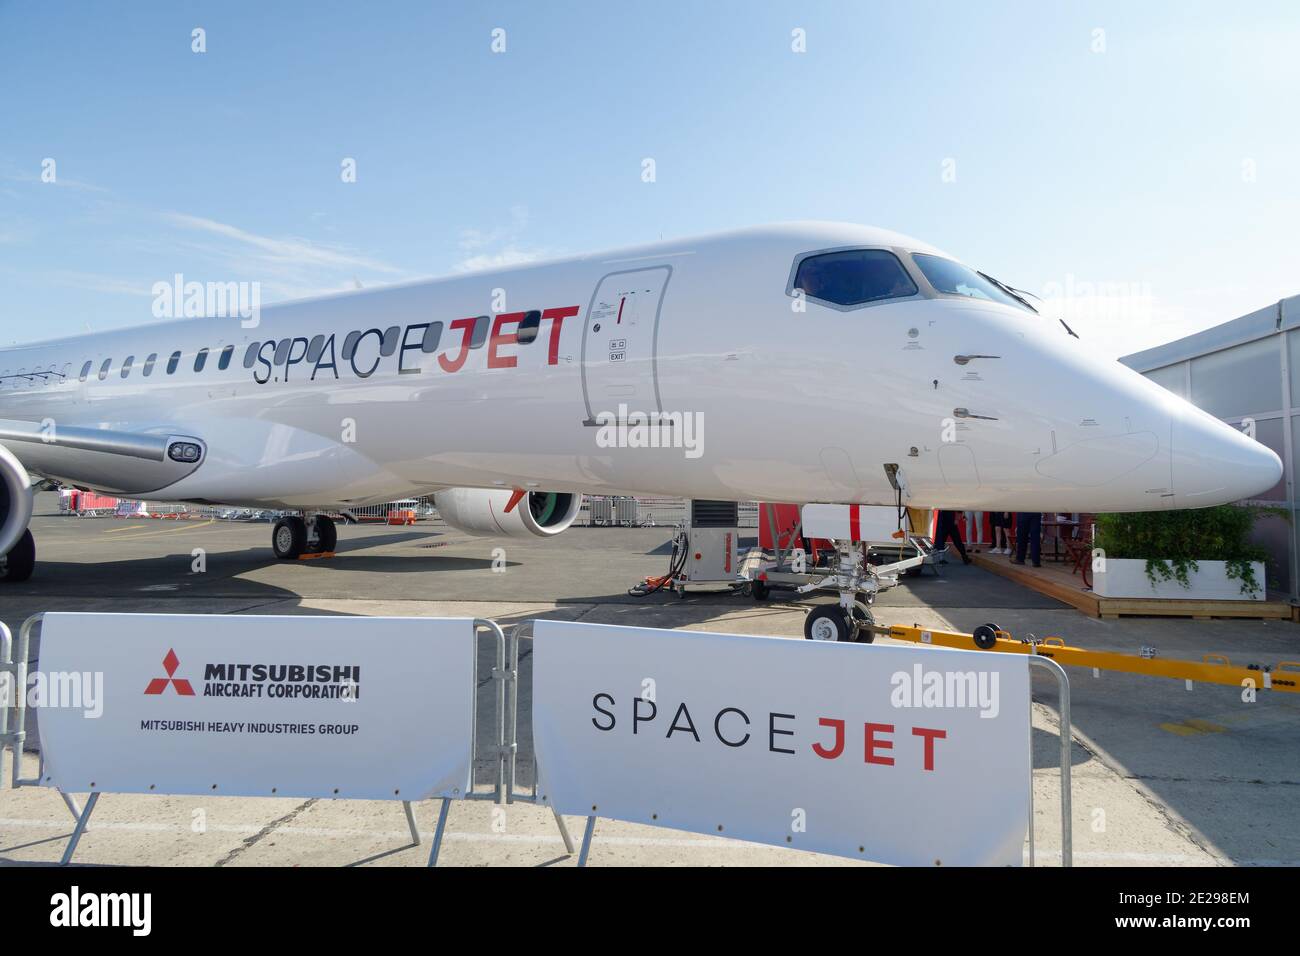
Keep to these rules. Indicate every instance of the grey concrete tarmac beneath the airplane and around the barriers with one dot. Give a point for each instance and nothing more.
(1163, 776)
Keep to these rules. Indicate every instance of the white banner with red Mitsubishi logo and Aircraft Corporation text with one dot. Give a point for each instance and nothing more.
(306, 707)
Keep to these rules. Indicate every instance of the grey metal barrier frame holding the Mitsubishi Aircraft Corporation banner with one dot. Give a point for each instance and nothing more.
(18, 665)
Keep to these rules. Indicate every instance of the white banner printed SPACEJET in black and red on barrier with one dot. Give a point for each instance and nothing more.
(902, 755)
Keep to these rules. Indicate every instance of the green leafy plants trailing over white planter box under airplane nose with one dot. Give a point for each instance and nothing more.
(1172, 542)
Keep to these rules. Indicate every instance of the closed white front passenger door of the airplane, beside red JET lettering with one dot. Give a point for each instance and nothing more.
(619, 343)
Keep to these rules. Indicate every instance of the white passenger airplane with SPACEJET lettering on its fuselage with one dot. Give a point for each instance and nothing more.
(813, 364)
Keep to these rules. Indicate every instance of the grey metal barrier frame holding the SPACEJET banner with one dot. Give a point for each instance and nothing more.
(525, 631)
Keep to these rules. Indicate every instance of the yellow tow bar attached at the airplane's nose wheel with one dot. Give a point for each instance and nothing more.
(1212, 669)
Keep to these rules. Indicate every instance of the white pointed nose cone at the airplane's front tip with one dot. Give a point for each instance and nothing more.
(1215, 464)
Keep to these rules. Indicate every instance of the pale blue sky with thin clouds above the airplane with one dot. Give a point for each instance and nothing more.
(1145, 178)
